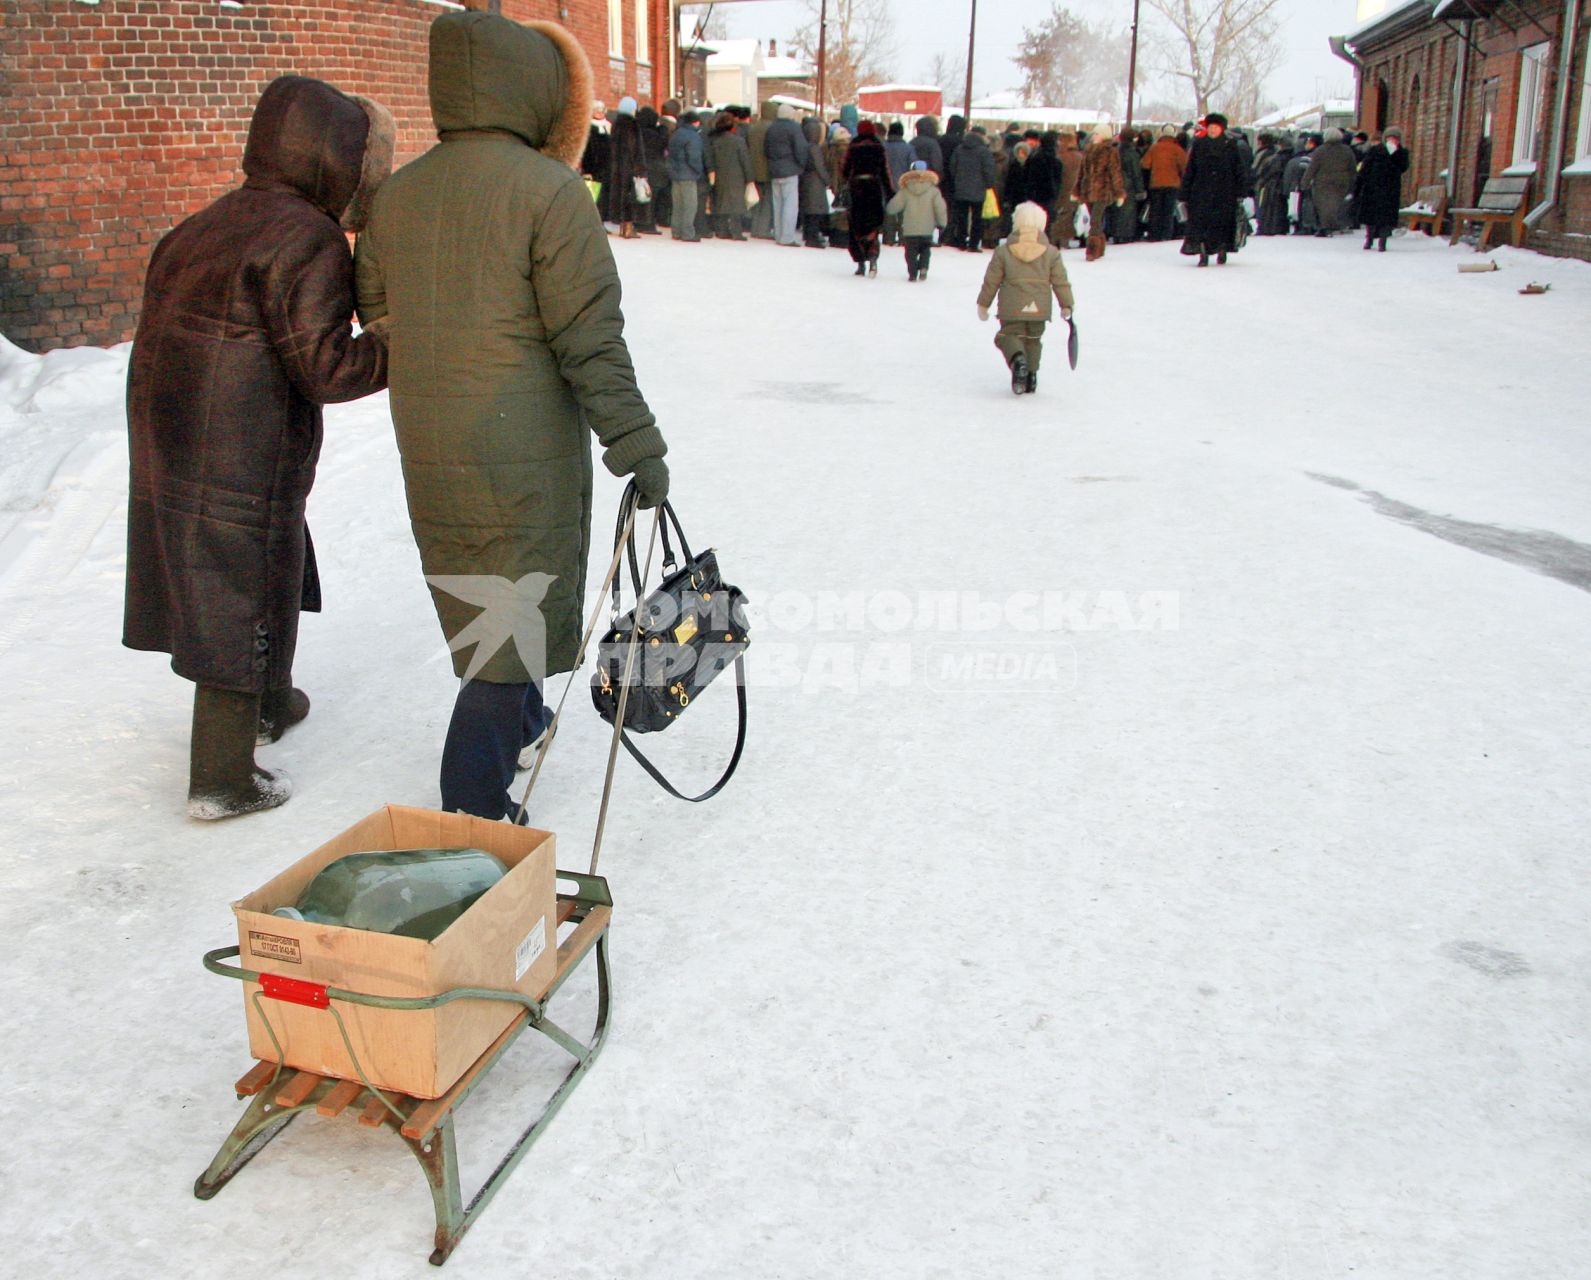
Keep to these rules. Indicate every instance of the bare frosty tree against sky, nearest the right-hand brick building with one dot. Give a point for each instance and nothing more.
(1224, 50)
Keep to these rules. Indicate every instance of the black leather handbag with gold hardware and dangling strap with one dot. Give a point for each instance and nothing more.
(693, 629)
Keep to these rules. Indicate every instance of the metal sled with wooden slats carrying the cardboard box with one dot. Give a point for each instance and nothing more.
(426, 1125)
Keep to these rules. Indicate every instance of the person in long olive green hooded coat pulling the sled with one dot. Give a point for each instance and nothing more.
(507, 347)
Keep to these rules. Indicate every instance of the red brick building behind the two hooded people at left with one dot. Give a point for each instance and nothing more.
(123, 117)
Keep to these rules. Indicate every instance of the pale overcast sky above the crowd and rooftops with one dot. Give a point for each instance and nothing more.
(925, 28)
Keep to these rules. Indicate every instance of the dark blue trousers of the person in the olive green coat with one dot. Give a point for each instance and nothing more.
(491, 726)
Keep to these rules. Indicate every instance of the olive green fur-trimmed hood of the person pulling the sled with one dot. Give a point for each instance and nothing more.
(531, 80)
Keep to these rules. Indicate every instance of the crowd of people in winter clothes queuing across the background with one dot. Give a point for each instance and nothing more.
(855, 184)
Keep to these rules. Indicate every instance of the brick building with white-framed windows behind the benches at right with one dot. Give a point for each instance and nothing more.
(1488, 88)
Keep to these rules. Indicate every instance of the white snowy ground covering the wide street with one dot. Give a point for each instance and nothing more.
(1245, 937)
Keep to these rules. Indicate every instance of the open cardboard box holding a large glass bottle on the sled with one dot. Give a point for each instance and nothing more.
(507, 942)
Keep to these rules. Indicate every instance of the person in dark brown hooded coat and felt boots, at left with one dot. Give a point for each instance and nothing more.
(246, 333)
